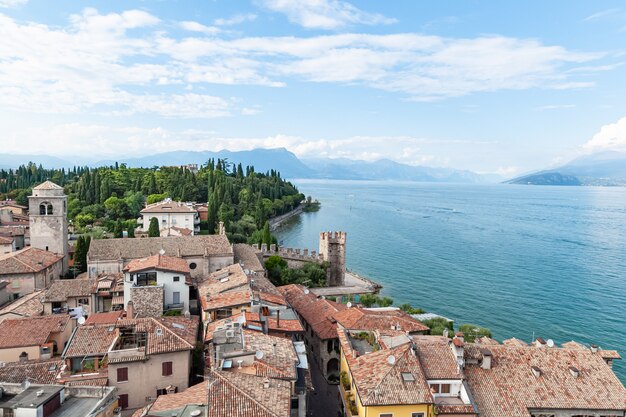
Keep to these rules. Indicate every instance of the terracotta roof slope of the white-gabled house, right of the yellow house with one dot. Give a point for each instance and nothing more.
(436, 357)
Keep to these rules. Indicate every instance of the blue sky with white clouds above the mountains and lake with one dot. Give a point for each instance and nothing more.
(488, 86)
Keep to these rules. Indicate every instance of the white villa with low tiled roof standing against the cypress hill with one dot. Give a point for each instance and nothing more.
(171, 214)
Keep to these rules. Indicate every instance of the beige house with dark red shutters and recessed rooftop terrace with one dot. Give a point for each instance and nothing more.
(151, 357)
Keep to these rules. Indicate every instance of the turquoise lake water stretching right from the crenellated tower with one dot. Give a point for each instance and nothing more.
(520, 260)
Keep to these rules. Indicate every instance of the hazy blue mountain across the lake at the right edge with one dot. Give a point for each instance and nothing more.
(605, 169)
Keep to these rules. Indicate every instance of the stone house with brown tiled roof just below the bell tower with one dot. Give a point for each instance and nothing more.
(29, 269)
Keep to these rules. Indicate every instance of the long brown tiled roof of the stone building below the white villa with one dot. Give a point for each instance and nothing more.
(177, 246)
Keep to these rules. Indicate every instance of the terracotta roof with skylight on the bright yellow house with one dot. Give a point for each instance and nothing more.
(379, 380)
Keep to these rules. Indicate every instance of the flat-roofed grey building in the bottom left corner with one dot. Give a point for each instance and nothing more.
(57, 401)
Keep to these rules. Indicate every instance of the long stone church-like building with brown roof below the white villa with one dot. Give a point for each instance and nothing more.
(203, 254)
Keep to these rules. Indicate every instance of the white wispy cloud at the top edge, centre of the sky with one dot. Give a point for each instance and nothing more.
(324, 14)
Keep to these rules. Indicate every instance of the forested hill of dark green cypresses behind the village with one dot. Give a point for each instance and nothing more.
(108, 199)
